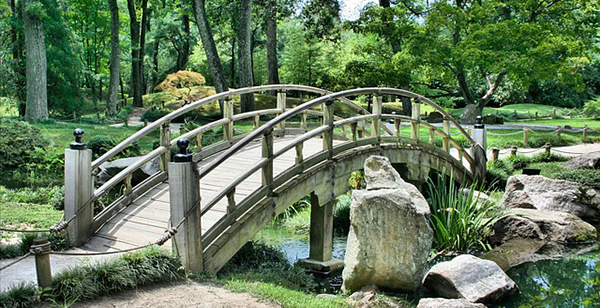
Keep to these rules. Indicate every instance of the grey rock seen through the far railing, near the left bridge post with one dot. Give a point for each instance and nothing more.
(112, 168)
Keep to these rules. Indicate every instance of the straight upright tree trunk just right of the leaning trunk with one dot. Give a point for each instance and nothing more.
(245, 54)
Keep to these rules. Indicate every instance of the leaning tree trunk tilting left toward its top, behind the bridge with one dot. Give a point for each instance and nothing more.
(208, 42)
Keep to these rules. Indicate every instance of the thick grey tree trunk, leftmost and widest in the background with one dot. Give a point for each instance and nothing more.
(37, 97)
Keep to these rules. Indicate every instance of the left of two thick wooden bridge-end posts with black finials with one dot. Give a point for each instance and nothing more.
(78, 190)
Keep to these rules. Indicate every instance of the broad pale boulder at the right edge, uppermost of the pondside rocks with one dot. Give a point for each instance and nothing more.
(538, 192)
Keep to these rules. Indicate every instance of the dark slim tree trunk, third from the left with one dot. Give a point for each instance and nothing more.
(136, 79)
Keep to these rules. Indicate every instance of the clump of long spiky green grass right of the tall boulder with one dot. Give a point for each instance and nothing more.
(460, 220)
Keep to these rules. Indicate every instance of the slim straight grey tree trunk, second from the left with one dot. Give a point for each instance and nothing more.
(115, 59)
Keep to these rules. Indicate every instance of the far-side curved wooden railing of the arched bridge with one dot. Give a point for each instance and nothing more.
(163, 151)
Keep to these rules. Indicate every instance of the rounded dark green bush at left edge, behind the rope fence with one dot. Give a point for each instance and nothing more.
(18, 141)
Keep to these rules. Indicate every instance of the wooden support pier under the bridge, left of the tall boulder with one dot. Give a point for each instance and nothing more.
(321, 237)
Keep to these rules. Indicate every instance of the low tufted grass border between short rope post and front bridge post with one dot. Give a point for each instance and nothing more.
(109, 276)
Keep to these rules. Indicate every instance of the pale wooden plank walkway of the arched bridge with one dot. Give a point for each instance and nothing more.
(145, 220)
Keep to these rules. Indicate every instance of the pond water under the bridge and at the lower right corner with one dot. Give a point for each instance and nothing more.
(569, 282)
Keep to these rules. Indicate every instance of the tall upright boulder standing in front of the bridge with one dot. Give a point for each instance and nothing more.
(390, 238)
